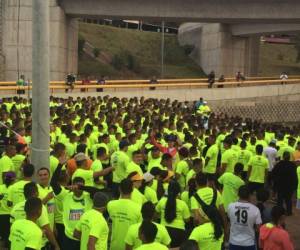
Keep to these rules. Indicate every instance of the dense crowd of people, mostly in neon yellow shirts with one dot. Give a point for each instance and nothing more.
(146, 174)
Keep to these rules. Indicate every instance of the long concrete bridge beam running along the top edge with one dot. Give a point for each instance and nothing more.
(216, 11)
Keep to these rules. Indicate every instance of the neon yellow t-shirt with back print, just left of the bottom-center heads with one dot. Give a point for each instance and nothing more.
(123, 213)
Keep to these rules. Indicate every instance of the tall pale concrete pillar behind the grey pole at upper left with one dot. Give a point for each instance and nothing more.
(18, 55)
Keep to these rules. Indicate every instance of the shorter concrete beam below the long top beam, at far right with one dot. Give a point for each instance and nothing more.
(260, 29)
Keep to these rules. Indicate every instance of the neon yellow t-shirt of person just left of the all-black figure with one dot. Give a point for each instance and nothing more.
(259, 165)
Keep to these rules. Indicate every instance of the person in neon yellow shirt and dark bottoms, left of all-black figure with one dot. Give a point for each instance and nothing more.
(258, 170)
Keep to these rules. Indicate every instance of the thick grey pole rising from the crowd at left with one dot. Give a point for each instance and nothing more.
(40, 84)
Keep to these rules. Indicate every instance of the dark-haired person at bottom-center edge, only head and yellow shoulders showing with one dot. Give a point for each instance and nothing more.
(147, 234)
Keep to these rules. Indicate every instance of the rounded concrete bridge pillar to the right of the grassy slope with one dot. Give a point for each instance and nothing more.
(217, 49)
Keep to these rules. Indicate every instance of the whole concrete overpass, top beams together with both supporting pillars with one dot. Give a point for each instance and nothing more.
(224, 43)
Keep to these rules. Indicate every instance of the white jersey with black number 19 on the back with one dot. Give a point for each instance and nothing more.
(243, 217)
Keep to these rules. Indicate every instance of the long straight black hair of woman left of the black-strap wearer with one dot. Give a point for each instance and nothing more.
(170, 210)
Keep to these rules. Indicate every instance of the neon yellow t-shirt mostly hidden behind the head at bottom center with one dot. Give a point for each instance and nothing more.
(132, 236)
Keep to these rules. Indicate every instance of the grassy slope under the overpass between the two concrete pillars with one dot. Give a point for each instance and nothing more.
(144, 46)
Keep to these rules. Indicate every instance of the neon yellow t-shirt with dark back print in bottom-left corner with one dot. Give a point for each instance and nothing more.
(25, 234)
